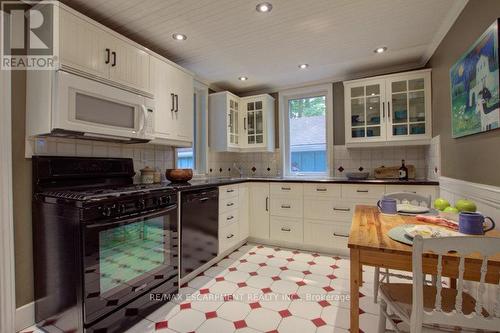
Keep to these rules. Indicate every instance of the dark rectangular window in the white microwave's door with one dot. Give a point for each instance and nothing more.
(105, 112)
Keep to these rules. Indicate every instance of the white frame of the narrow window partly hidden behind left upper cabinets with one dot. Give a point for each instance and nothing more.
(200, 137)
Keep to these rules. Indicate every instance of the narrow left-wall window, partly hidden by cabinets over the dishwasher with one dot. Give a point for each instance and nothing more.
(196, 157)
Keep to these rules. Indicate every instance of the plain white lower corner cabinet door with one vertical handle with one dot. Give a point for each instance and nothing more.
(259, 210)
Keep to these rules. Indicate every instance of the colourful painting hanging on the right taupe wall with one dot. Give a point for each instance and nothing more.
(475, 84)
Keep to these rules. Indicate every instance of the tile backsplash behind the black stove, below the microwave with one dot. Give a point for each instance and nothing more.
(154, 156)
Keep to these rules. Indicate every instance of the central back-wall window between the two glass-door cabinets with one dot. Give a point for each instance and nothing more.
(306, 122)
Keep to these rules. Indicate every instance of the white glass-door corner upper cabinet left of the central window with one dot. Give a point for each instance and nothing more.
(241, 124)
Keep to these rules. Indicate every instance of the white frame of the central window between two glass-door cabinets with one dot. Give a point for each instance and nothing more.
(284, 126)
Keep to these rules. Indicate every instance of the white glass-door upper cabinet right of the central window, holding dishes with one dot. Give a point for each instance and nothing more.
(389, 110)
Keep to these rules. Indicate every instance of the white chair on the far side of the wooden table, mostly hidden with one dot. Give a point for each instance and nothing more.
(384, 276)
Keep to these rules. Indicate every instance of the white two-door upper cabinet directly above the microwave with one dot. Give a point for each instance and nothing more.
(89, 49)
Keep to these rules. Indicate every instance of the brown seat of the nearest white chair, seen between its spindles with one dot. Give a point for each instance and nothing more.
(399, 297)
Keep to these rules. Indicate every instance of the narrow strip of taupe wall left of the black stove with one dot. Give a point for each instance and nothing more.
(21, 173)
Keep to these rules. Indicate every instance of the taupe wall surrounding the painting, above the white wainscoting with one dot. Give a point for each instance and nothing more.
(475, 158)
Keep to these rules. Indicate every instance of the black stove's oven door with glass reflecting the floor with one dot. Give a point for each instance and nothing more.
(126, 258)
